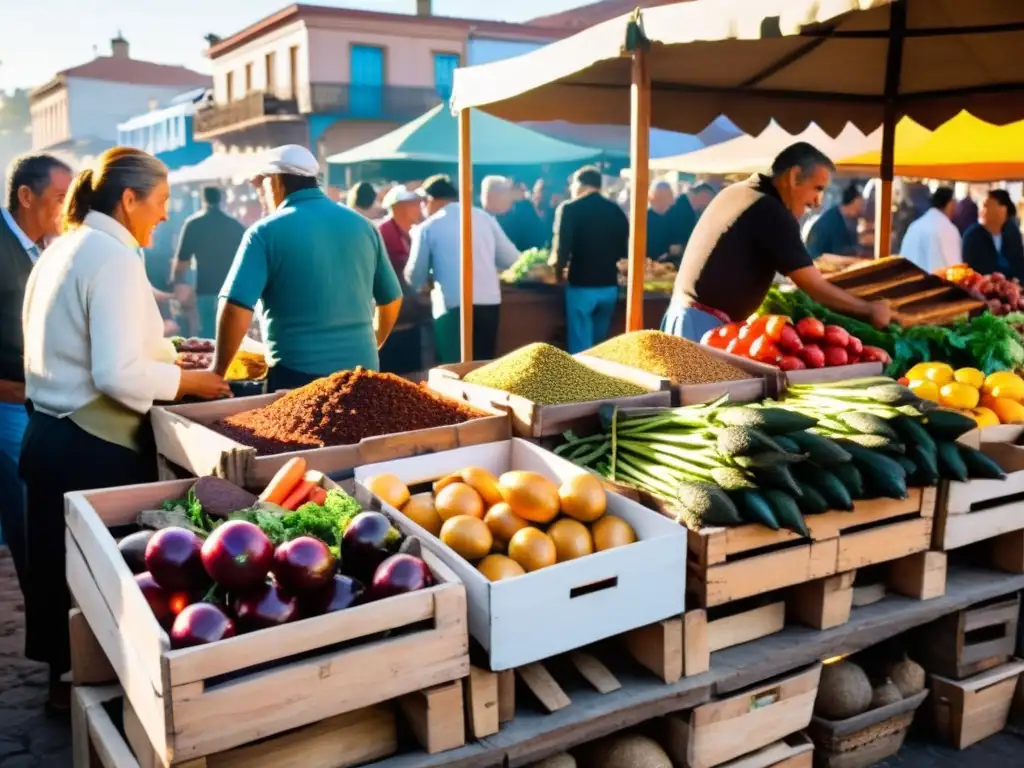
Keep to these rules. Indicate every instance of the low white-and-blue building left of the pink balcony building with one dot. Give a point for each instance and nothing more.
(167, 132)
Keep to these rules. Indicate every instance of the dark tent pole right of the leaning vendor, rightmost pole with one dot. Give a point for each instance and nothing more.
(894, 68)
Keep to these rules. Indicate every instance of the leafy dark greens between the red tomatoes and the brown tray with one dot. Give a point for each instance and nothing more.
(988, 343)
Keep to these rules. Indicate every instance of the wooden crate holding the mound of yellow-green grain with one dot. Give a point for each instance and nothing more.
(532, 420)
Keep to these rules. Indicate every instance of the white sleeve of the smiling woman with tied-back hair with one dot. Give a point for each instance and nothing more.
(123, 363)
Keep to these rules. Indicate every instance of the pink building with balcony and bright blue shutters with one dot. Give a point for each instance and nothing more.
(336, 78)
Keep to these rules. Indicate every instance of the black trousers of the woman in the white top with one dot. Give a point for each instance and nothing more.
(59, 457)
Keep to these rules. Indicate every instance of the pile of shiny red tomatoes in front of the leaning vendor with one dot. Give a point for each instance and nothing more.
(776, 340)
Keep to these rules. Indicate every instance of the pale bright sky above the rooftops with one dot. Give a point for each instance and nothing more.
(40, 37)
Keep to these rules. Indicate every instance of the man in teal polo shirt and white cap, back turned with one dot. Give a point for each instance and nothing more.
(330, 294)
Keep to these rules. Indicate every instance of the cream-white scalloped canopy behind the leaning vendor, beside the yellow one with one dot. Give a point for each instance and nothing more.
(753, 154)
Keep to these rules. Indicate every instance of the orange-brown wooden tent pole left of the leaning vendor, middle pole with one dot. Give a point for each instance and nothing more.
(639, 182)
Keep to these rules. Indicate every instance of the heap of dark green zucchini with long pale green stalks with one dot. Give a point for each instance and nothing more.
(822, 448)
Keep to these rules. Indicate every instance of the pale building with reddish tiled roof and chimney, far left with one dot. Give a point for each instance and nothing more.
(77, 113)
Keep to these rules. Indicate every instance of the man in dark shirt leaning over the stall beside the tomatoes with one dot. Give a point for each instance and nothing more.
(749, 234)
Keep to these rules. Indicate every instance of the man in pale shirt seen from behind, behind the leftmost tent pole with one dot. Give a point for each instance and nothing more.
(436, 253)
